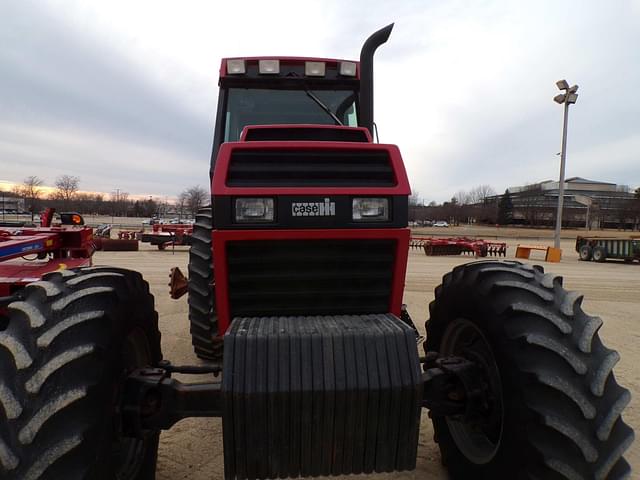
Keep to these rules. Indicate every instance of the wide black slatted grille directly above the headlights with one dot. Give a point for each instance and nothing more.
(272, 168)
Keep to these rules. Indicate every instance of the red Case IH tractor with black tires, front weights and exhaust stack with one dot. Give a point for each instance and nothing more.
(296, 279)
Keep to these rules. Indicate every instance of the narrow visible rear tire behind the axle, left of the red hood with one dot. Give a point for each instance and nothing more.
(202, 312)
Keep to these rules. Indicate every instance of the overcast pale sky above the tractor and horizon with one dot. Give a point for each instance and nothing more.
(123, 93)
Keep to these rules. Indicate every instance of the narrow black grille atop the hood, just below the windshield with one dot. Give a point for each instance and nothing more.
(306, 133)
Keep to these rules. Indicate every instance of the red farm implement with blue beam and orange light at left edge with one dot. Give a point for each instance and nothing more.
(28, 253)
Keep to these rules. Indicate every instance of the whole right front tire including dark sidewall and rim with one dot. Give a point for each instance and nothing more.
(554, 406)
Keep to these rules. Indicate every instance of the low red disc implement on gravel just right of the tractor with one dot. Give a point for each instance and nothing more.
(434, 246)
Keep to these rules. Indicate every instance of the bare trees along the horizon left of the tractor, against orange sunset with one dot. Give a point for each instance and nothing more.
(67, 196)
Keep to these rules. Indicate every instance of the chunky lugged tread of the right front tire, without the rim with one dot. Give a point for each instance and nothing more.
(557, 364)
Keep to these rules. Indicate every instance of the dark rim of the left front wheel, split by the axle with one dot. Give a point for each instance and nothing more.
(129, 452)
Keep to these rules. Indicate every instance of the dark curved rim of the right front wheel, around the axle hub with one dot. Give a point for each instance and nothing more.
(480, 439)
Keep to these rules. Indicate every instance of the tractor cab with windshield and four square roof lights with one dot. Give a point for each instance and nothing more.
(287, 91)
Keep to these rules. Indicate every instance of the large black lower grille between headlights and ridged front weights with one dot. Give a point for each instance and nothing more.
(310, 277)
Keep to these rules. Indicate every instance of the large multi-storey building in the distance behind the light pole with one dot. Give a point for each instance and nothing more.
(596, 203)
